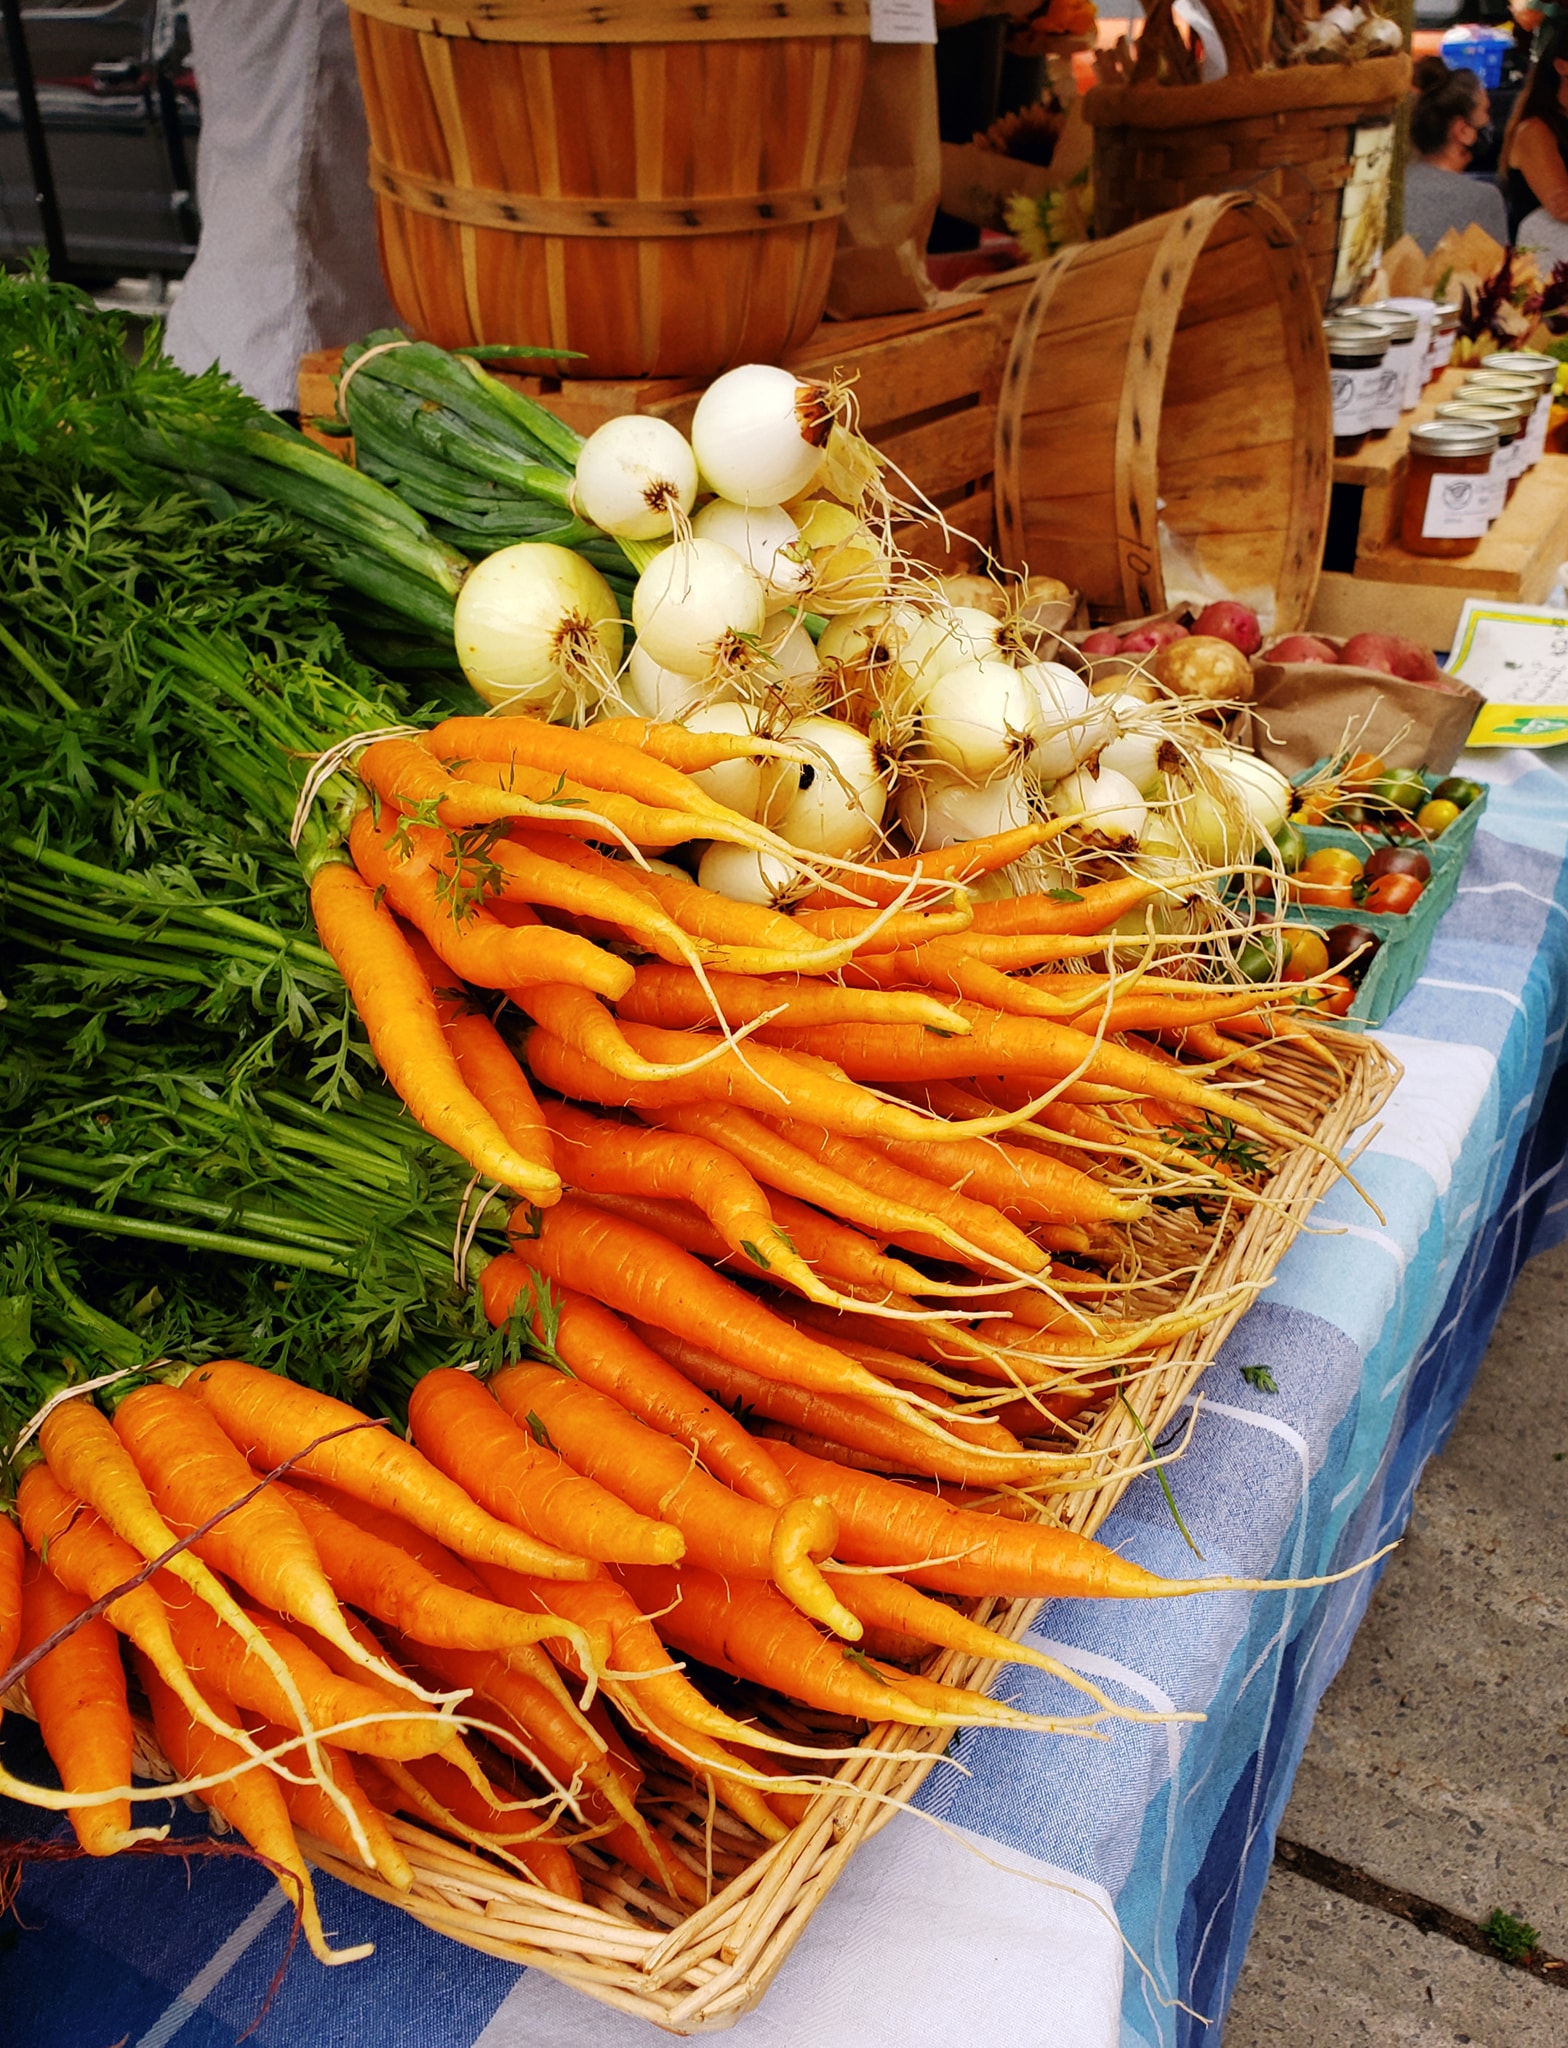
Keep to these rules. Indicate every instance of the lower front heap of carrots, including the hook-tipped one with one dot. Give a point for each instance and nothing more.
(353, 1644)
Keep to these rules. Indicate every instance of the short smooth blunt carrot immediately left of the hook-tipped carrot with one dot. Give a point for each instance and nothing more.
(464, 1431)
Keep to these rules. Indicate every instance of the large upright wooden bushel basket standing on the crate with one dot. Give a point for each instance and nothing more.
(650, 183)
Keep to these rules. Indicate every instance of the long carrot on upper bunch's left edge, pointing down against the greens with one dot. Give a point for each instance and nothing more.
(400, 1015)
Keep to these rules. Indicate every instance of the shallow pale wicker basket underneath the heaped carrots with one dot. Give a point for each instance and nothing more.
(701, 1971)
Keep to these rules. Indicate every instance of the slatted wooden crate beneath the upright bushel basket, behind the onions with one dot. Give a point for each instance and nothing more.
(926, 386)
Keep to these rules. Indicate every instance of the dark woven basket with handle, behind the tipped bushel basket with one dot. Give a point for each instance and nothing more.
(1315, 138)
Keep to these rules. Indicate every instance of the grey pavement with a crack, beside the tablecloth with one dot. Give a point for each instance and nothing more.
(1440, 1756)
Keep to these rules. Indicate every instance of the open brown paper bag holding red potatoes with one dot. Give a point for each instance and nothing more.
(1307, 712)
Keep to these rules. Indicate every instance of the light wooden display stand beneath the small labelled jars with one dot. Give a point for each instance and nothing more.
(1393, 591)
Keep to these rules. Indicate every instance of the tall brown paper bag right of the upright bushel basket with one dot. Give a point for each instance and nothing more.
(896, 175)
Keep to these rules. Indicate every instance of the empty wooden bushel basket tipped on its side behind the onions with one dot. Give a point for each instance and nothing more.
(1166, 427)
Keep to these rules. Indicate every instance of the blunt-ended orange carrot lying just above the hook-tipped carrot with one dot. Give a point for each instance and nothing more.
(603, 1353)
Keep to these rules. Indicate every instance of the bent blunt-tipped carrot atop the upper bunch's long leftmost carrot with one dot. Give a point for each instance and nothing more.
(474, 943)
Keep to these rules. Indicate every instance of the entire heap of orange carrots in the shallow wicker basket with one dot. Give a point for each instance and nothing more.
(820, 1254)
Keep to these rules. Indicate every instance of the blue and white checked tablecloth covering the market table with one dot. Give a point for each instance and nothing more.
(1047, 1893)
